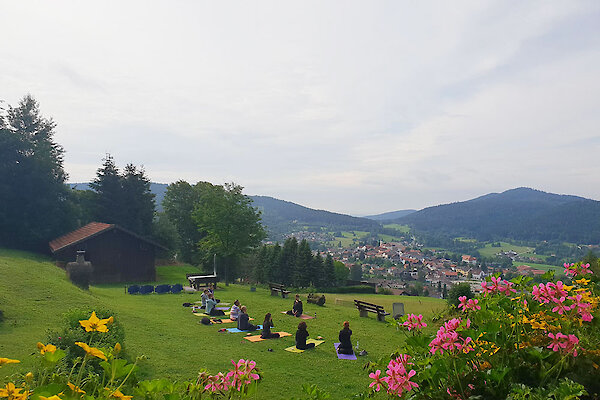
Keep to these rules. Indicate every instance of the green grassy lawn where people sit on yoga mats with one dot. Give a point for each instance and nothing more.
(35, 294)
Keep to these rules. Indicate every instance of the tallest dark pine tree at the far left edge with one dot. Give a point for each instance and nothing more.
(35, 204)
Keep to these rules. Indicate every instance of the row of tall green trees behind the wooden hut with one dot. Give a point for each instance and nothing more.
(36, 204)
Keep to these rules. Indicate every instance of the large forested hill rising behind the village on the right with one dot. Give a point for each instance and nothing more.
(522, 213)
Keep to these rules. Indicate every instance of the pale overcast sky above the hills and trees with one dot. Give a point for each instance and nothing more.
(358, 107)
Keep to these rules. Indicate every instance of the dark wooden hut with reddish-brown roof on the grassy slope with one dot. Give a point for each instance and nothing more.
(116, 254)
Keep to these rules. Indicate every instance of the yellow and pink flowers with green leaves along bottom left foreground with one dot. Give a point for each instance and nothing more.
(57, 379)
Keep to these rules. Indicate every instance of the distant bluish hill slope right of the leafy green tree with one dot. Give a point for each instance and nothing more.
(282, 217)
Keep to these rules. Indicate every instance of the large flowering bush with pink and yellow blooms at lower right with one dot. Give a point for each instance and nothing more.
(516, 340)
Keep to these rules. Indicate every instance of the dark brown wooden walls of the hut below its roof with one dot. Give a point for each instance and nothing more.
(116, 257)
